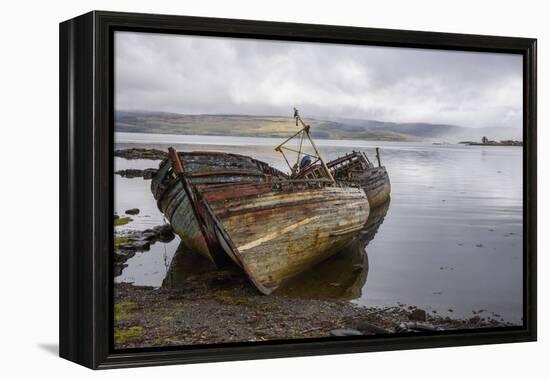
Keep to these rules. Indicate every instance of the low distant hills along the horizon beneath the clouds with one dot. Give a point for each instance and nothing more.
(277, 126)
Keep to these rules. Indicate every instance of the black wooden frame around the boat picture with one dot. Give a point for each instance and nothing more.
(86, 184)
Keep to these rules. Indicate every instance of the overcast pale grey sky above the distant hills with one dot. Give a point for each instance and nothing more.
(211, 75)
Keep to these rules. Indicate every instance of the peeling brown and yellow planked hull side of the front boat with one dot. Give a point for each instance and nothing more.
(277, 230)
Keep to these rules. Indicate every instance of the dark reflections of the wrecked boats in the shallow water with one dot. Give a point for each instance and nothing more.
(342, 276)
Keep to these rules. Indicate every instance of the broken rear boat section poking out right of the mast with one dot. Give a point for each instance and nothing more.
(357, 168)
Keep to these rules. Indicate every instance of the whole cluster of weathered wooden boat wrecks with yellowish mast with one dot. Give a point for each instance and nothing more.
(271, 224)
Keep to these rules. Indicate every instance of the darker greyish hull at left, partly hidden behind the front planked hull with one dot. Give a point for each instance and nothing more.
(203, 168)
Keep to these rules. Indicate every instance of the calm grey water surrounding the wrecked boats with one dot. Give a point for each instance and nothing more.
(451, 237)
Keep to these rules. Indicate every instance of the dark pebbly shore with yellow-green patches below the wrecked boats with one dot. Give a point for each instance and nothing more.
(220, 306)
